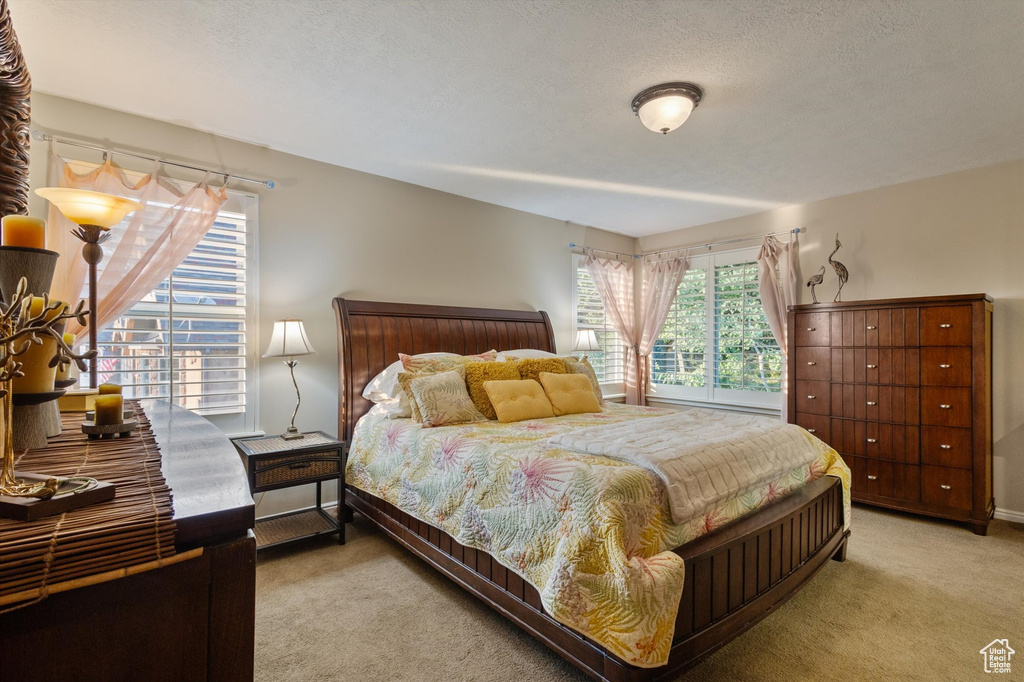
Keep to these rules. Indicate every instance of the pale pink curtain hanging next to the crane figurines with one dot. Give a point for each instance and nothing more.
(778, 286)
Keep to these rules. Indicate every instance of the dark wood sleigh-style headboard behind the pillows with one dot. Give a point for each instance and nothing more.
(371, 335)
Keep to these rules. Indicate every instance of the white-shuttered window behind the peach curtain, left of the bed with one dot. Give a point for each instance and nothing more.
(191, 340)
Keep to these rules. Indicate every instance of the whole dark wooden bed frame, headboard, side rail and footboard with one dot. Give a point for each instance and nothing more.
(735, 576)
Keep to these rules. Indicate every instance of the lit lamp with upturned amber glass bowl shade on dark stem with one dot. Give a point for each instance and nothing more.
(95, 214)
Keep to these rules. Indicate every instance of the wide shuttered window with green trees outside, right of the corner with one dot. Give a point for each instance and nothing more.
(716, 346)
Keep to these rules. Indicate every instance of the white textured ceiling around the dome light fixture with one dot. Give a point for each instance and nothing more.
(526, 104)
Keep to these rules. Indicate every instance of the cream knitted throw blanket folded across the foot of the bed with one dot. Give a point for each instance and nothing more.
(704, 457)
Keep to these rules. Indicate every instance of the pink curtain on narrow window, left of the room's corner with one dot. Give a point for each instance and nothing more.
(614, 281)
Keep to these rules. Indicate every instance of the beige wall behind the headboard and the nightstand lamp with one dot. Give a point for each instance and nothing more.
(327, 231)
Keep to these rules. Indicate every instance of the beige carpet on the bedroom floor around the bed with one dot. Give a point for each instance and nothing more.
(916, 601)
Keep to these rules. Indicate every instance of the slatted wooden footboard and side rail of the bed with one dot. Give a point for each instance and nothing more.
(735, 577)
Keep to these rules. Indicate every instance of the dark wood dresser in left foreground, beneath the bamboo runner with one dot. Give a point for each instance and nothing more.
(190, 622)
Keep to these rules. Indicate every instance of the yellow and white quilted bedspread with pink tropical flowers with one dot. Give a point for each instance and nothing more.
(591, 534)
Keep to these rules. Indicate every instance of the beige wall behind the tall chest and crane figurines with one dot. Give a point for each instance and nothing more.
(957, 234)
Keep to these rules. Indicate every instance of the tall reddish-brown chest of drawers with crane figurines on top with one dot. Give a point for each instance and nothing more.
(903, 390)
